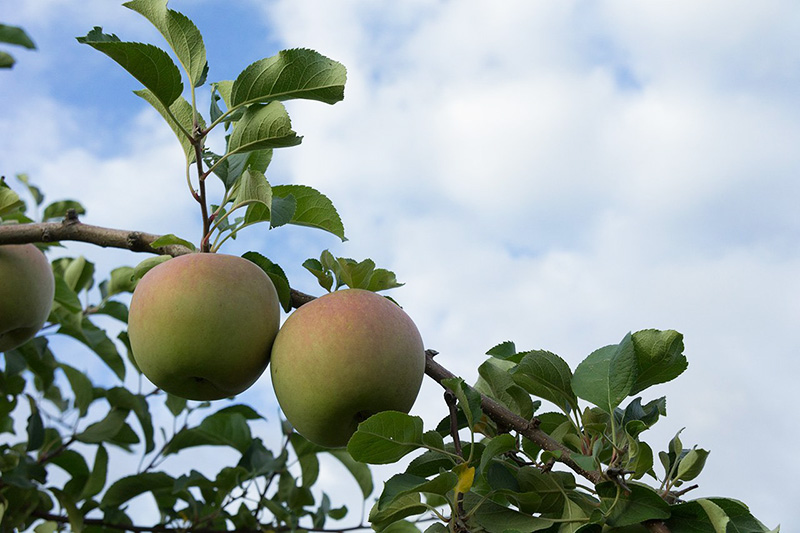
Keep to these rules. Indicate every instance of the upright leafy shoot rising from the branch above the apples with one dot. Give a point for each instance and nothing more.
(249, 108)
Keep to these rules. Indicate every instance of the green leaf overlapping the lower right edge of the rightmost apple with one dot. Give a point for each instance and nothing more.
(386, 437)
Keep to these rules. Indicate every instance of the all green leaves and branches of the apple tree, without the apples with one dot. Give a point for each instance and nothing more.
(533, 445)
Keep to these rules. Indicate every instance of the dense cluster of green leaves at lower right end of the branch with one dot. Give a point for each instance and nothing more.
(501, 480)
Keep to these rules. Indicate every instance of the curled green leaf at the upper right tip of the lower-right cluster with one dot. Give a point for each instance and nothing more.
(659, 357)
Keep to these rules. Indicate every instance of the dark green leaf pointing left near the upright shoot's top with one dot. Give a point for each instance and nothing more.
(147, 63)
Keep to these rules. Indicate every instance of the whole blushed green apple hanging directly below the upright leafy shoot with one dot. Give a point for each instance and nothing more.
(201, 325)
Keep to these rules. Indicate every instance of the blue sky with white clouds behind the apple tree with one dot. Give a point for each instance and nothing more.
(556, 174)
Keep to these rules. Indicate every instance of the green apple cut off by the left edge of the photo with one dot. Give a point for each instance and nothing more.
(27, 287)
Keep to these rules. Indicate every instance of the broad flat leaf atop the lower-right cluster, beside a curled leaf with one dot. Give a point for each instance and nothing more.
(606, 376)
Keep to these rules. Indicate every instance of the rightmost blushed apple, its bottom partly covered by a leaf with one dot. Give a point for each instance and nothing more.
(343, 357)
